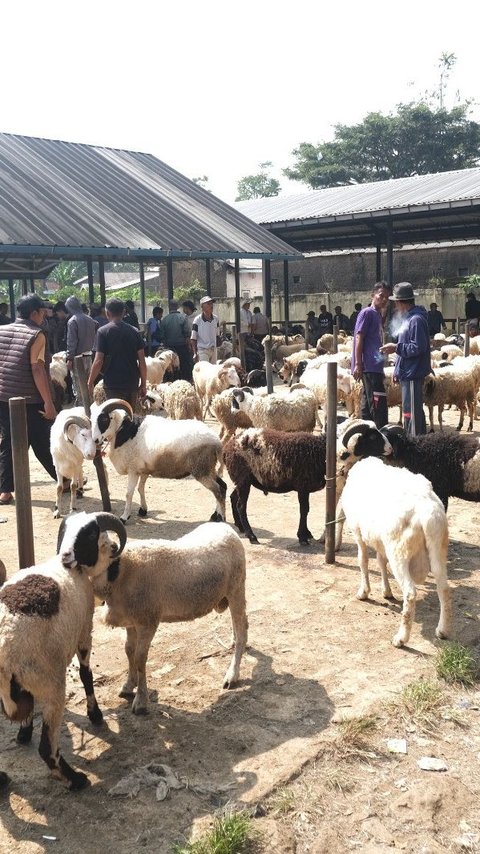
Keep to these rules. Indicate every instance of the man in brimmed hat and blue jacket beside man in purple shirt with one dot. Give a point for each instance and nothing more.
(410, 327)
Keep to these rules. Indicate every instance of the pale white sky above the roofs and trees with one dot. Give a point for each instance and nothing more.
(216, 88)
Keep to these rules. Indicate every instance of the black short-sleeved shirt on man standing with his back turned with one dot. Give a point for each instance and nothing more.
(120, 344)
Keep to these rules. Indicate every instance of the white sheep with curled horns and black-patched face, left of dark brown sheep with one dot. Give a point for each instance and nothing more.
(142, 447)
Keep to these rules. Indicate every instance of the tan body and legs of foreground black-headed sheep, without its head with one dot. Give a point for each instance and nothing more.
(157, 581)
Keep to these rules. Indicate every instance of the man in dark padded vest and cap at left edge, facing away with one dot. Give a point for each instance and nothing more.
(24, 361)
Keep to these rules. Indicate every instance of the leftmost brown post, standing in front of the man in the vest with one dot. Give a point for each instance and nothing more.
(21, 479)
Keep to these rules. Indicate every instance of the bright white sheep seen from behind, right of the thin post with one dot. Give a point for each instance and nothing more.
(409, 530)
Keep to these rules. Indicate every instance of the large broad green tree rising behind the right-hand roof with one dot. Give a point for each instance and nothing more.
(418, 138)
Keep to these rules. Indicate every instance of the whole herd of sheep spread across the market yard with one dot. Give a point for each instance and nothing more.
(46, 611)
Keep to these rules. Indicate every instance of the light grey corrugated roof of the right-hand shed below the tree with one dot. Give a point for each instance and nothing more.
(399, 195)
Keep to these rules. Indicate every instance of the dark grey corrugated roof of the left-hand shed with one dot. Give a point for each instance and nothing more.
(55, 195)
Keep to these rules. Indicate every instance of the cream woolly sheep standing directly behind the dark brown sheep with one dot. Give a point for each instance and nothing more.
(293, 412)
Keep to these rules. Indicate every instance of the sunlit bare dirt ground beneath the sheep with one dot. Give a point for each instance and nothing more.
(316, 657)
